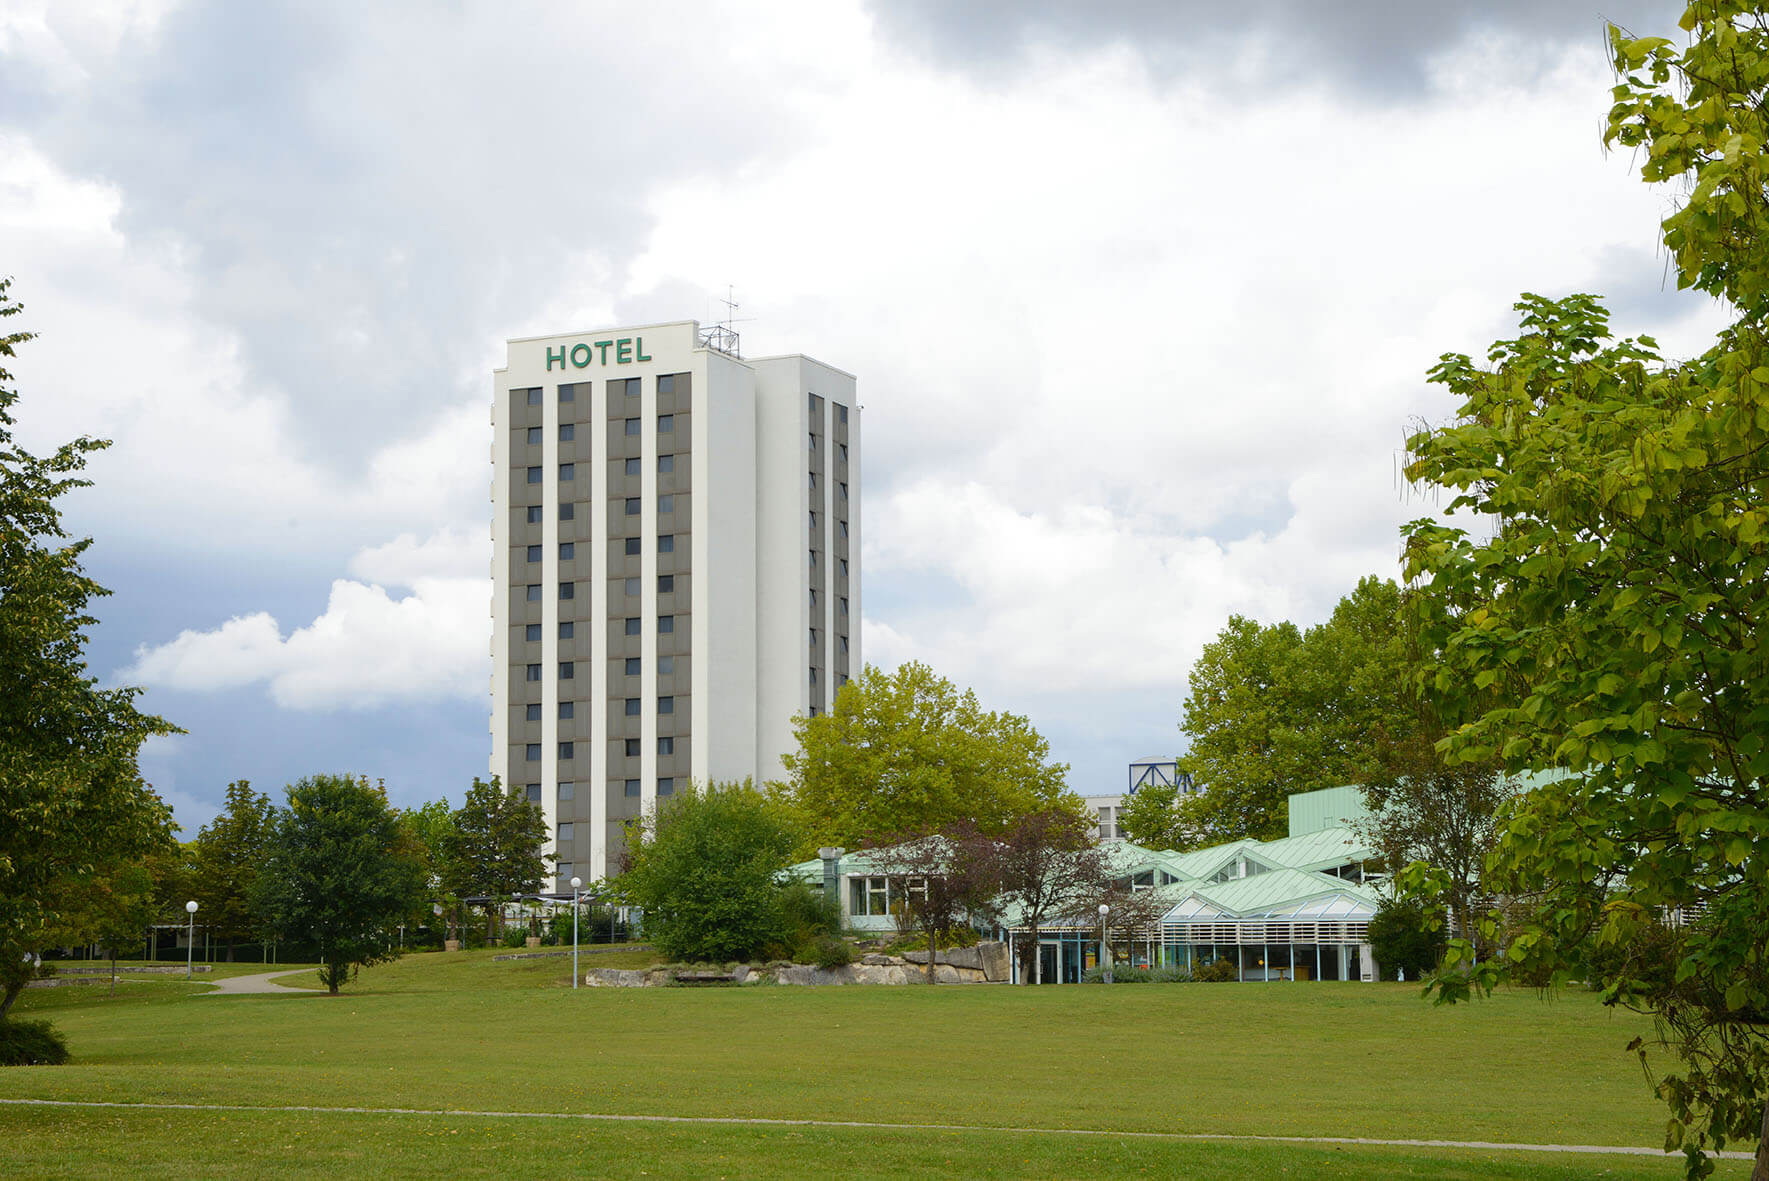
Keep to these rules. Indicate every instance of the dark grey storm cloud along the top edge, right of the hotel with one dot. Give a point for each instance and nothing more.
(1374, 47)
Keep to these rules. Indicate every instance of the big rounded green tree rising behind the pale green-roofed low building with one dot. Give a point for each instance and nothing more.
(1275, 710)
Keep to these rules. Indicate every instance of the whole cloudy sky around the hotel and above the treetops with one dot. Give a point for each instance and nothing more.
(1140, 294)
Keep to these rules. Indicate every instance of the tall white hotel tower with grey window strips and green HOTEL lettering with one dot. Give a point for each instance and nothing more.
(675, 568)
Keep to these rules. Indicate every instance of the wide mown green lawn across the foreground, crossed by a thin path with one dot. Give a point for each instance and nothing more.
(463, 1033)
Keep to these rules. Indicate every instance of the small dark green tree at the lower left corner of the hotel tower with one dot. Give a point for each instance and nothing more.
(494, 848)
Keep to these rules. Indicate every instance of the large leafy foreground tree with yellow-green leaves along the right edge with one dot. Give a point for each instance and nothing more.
(1618, 604)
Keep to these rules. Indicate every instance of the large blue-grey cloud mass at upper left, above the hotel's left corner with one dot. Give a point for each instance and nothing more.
(371, 195)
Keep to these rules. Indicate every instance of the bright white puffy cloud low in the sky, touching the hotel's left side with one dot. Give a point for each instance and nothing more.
(367, 650)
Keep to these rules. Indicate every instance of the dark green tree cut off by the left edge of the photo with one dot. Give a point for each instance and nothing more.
(72, 796)
